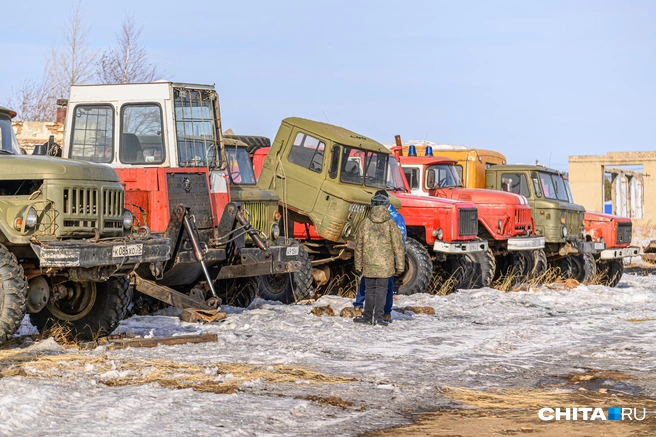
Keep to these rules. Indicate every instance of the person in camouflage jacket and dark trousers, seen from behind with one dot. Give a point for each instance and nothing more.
(378, 255)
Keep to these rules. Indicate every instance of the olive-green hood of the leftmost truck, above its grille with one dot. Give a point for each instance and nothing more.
(43, 167)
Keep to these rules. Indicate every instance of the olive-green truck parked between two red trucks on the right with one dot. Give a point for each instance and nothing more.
(557, 218)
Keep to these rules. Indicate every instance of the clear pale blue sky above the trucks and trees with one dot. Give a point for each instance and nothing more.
(532, 80)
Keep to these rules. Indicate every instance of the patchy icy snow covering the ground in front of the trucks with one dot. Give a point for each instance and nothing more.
(477, 339)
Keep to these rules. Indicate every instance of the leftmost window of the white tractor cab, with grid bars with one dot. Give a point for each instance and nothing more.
(93, 133)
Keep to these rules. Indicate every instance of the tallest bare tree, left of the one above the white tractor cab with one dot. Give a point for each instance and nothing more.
(72, 63)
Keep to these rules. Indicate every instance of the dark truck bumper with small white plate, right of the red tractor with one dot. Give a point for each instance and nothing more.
(257, 262)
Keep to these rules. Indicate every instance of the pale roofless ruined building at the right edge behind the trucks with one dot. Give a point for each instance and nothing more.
(610, 183)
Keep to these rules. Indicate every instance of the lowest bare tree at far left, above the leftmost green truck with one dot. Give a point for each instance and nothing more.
(34, 101)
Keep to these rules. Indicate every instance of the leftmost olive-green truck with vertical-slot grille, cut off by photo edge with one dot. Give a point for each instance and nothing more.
(66, 246)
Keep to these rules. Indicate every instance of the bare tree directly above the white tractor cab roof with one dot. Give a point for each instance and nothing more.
(127, 62)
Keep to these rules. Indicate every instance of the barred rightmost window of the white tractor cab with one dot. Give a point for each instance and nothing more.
(195, 128)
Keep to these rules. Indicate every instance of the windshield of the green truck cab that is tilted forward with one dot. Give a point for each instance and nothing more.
(361, 166)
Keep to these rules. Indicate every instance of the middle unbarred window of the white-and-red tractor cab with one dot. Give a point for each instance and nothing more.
(141, 134)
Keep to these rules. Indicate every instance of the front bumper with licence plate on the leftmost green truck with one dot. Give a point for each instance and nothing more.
(86, 254)
